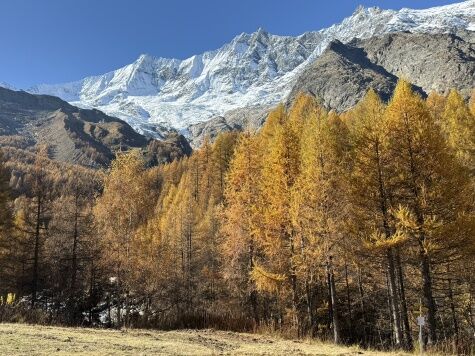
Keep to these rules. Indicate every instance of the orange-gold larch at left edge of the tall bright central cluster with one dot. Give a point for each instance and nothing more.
(240, 220)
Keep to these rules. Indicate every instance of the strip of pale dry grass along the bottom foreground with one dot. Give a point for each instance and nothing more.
(21, 339)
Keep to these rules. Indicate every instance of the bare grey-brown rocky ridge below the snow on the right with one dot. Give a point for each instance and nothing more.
(344, 72)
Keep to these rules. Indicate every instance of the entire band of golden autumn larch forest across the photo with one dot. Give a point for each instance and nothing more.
(342, 226)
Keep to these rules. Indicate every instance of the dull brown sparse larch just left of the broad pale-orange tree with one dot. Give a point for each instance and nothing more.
(71, 240)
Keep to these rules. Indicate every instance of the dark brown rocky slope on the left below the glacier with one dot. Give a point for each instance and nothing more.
(74, 135)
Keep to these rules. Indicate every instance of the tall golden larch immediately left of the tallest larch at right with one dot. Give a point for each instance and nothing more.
(370, 194)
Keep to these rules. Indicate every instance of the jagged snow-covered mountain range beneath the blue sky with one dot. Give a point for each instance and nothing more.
(252, 69)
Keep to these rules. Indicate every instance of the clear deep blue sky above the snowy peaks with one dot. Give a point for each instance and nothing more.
(53, 41)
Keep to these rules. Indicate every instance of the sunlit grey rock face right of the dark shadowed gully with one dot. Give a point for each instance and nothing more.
(433, 62)
